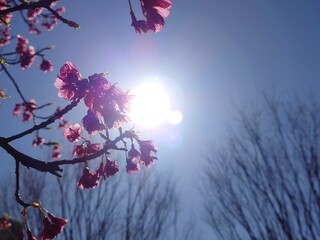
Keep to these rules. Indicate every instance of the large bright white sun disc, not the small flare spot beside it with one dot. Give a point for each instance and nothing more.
(151, 104)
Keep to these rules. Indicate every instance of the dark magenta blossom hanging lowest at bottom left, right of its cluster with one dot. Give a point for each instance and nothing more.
(52, 227)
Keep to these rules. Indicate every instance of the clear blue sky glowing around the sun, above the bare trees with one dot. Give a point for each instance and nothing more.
(210, 56)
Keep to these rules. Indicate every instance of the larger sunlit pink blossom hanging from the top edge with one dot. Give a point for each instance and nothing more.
(155, 11)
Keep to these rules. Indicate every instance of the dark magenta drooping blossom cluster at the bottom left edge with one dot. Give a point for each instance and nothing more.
(52, 225)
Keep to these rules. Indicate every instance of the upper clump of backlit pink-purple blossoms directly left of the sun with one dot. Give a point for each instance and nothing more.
(107, 104)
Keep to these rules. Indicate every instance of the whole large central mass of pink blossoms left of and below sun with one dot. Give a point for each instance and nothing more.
(108, 106)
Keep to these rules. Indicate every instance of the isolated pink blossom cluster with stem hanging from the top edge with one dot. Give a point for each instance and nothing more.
(155, 12)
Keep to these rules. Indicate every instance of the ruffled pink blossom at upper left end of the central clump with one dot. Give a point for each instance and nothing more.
(69, 82)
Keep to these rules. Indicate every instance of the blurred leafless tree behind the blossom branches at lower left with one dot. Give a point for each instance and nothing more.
(143, 206)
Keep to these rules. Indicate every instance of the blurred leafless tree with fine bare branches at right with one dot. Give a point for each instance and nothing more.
(263, 182)
